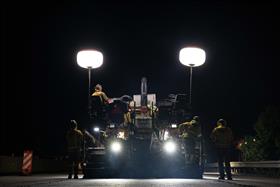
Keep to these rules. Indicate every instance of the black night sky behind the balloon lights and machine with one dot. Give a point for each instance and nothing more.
(45, 88)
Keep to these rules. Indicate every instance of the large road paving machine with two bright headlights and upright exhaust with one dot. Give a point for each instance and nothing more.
(138, 138)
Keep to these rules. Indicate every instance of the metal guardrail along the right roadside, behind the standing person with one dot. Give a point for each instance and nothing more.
(270, 168)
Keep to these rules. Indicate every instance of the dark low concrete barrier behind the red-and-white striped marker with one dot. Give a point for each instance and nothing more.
(12, 165)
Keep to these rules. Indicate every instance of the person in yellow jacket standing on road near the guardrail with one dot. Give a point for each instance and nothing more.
(223, 138)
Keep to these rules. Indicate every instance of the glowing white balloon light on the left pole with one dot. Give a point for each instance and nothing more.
(90, 59)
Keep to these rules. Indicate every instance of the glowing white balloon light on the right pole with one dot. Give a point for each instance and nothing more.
(192, 56)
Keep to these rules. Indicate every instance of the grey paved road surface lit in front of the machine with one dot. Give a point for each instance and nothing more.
(61, 181)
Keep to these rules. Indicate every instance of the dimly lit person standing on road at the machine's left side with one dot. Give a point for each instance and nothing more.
(74, 139)
